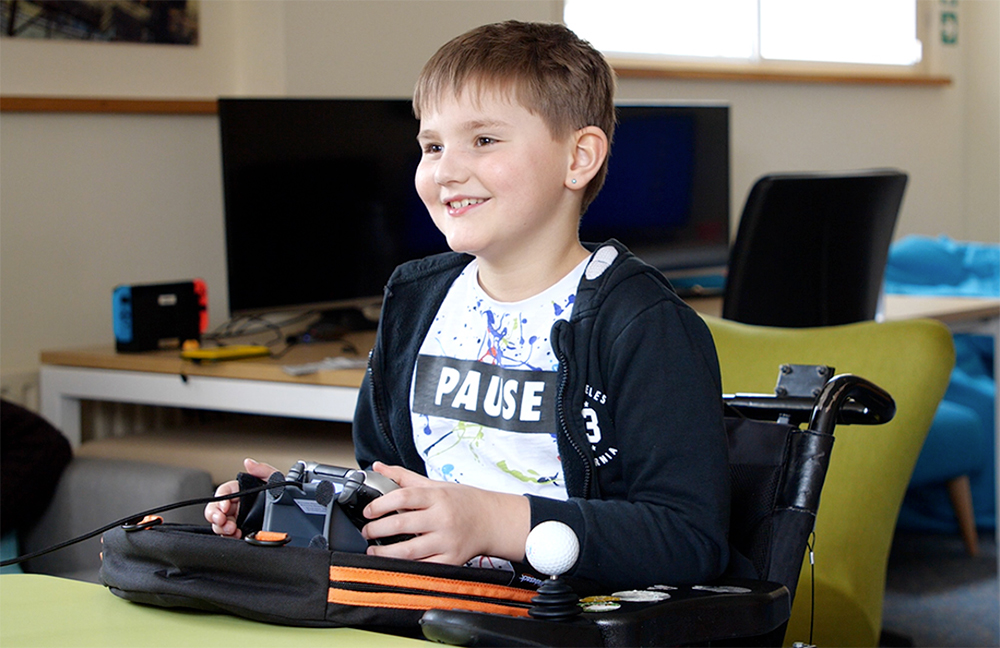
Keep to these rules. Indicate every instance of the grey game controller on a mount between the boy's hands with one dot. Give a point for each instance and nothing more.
(325, 507)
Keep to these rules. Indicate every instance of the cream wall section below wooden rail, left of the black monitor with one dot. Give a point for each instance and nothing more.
(91, 201)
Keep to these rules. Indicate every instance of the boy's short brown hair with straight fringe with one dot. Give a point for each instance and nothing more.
(550, 70)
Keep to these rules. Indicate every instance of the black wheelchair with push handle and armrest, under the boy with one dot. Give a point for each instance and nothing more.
(779, 451)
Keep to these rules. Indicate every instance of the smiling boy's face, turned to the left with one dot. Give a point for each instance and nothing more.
(493, 178)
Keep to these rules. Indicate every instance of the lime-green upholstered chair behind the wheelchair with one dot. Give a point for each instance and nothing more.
(870, 467)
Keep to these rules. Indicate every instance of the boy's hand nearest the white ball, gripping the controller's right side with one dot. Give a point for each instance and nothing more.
(453, 523)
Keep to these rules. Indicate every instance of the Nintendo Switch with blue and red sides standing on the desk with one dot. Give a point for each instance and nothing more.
(157, 316)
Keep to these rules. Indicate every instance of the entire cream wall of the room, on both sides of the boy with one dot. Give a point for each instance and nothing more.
(89, 201)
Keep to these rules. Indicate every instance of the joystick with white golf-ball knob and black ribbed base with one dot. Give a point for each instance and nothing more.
(553, 548)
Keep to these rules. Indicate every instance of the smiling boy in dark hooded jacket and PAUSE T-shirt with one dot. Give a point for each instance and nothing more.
(524, 377)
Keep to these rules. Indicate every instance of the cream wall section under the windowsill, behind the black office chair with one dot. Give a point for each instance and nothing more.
(786, 127)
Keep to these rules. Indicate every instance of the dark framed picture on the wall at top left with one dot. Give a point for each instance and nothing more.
(165, 22)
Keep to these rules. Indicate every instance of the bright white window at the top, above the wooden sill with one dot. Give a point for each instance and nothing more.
(882, 32)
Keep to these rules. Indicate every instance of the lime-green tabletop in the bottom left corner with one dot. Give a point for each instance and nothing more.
(41, 611)
